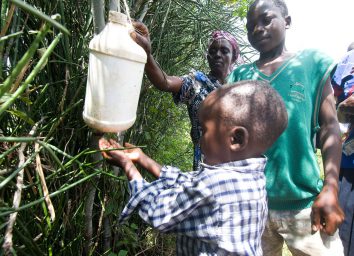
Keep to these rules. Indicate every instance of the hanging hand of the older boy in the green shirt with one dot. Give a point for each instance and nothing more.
(326, 213)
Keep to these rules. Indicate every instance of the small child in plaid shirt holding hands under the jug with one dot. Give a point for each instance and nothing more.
(221, 208)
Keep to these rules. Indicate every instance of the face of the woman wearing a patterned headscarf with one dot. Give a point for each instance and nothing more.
(220, 58)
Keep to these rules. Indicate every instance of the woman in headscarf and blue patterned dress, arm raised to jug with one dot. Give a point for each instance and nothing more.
(193, 88)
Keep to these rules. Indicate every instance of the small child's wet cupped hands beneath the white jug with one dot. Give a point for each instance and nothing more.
(120, 157)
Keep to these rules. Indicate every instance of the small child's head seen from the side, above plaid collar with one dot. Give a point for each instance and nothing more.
(240, 121)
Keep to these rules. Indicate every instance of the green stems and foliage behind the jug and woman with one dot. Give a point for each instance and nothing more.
(85, 194)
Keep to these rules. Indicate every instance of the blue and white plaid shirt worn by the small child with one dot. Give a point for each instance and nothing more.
(219, 210)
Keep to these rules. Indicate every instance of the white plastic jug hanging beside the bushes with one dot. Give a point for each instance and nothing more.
(116, 68)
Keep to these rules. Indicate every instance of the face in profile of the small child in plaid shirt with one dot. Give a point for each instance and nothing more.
(214, 140)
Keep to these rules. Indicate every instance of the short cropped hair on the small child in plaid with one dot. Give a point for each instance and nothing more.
(255, 105)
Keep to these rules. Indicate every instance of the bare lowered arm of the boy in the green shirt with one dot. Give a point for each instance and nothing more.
(326, 212)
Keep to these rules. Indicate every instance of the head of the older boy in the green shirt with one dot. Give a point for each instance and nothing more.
(267, 21)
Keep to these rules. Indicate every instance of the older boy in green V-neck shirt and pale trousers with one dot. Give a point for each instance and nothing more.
(292, 173)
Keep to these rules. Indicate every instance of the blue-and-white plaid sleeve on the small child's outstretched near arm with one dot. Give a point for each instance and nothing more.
(169, 203)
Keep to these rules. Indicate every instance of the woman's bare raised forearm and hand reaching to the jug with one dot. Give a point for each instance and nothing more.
(156, 75)
